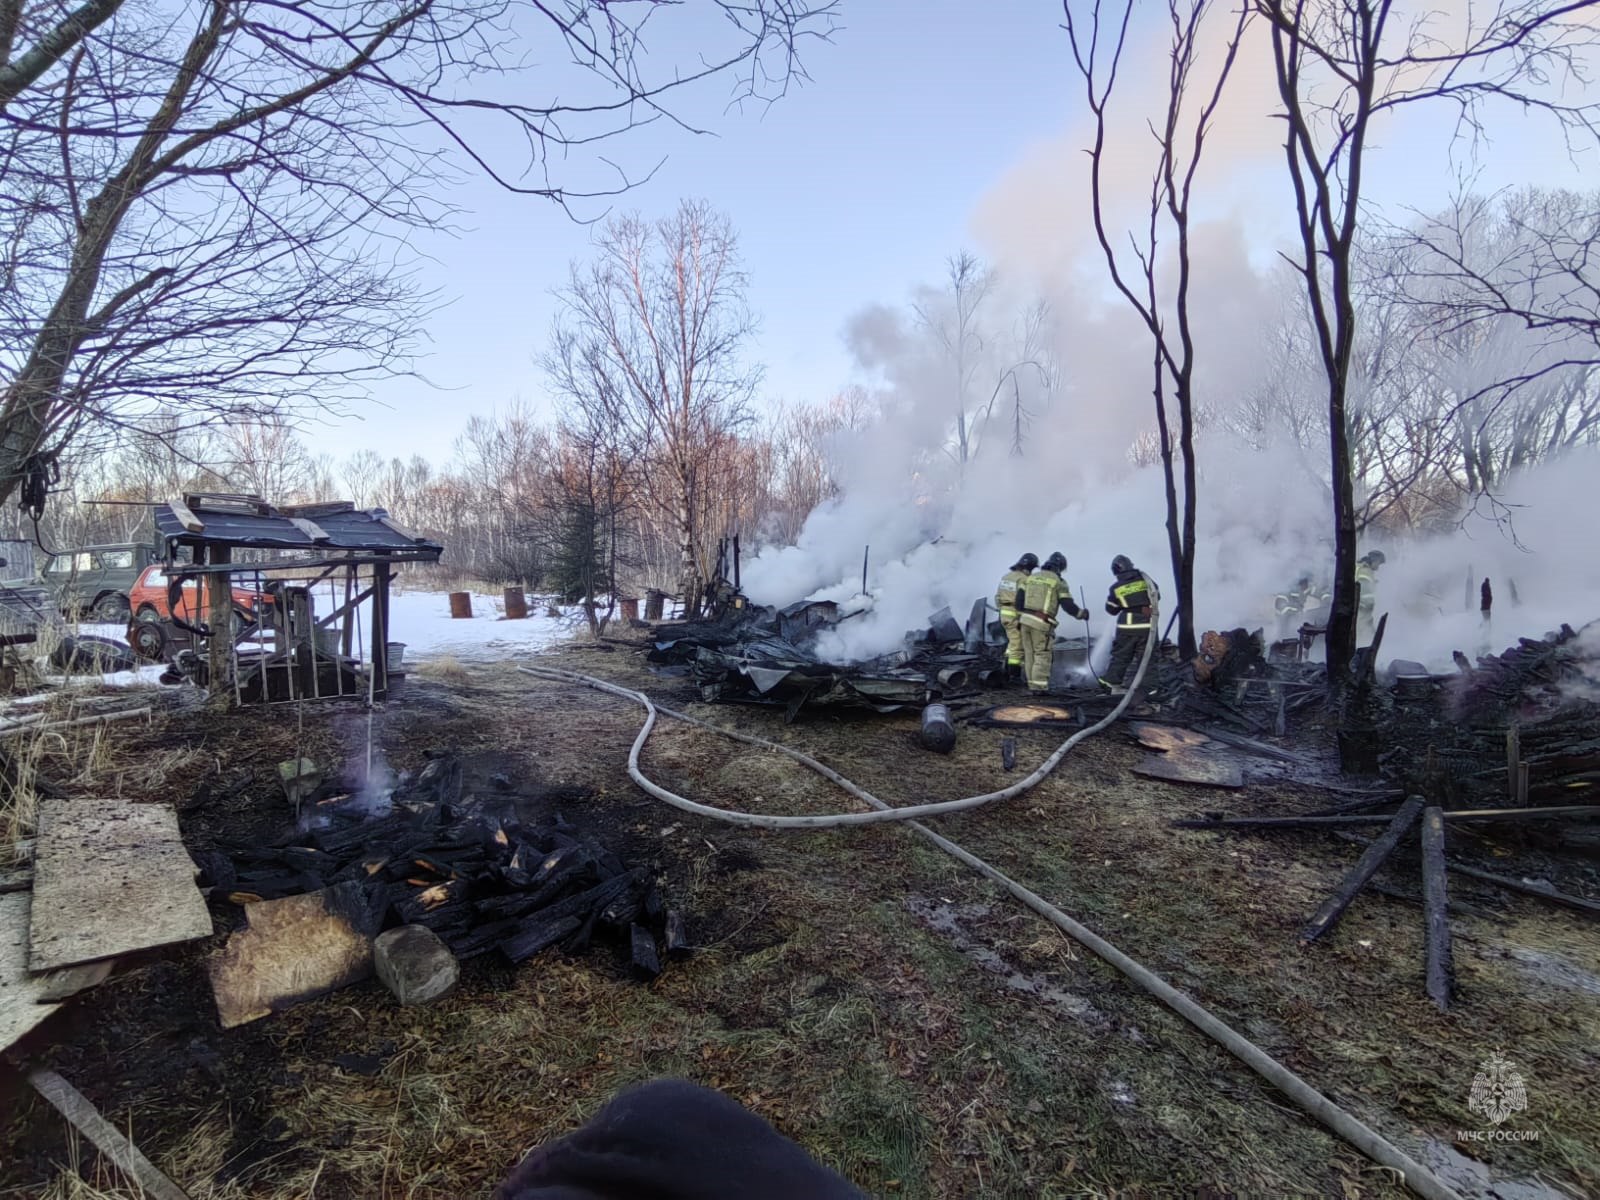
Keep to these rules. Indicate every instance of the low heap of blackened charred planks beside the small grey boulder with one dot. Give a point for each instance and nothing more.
(420, 858)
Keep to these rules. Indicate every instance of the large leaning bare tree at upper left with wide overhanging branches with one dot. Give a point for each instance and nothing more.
(207, 207)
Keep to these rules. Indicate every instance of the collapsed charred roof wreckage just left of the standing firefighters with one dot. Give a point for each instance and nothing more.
(769, 657)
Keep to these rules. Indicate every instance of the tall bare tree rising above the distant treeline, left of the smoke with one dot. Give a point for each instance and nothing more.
(655, 330)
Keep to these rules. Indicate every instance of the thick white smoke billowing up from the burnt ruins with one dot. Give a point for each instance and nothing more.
(943, 532)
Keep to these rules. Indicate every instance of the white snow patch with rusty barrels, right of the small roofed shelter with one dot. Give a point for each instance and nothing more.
(423, 622)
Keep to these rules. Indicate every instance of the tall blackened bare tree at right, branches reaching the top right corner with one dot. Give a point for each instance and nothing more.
(1340, 66)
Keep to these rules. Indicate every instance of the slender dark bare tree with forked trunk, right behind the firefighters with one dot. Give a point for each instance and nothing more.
(1138, 271)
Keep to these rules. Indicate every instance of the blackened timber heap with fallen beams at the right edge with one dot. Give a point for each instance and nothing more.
(1497, 762)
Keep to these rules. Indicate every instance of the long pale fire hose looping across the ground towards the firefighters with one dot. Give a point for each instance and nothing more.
(1369, 1142)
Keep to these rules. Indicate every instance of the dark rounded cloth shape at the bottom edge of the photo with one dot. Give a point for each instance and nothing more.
(673, 1140)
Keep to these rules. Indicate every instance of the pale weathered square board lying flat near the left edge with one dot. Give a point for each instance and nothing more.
(110, 878)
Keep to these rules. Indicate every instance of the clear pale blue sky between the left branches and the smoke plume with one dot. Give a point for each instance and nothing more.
(850, 191)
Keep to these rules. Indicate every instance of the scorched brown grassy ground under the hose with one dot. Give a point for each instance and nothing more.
(895, 1014)
